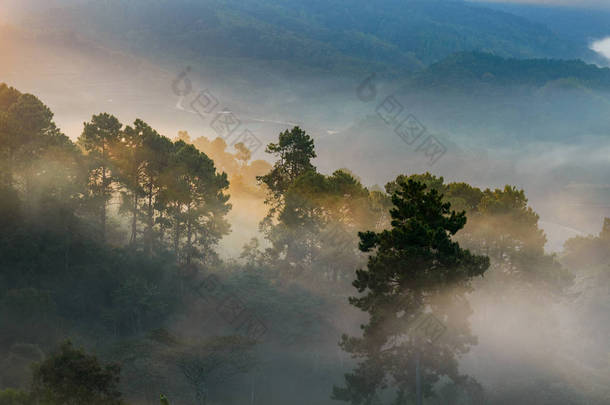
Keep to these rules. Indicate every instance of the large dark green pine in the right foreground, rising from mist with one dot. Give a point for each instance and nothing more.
(414, 268)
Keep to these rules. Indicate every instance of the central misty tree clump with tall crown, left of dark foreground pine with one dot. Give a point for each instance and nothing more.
(313, 219)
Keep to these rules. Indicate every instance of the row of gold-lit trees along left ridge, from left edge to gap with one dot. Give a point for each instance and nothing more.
(170, 191)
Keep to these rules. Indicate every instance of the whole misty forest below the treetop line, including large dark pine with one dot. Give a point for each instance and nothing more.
(113, 291)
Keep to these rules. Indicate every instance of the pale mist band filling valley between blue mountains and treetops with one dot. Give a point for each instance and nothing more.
(80, 78)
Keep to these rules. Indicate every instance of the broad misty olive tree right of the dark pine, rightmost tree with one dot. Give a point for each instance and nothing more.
(505, 228)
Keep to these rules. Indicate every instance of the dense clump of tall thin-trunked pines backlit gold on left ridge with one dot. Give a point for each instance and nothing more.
(163, 185)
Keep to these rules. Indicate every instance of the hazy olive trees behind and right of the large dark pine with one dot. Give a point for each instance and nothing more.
(502, 226)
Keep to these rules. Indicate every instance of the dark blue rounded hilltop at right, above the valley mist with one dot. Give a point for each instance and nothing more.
(500, 101)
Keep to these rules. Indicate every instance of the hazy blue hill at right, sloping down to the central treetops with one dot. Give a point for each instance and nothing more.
(481, 102)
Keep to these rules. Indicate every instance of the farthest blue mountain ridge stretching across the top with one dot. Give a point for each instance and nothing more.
(332, 35)
